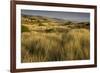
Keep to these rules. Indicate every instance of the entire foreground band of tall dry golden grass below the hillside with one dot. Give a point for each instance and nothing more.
(39, 47)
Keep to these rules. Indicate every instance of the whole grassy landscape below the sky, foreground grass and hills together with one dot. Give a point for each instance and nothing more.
(46, 39)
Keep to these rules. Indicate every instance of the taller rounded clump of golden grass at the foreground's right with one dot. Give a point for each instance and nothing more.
(77, 44)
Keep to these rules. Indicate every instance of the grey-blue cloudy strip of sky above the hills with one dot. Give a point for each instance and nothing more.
(71, 16)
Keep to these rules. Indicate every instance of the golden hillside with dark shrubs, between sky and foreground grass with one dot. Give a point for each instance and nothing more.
(41, 23)
